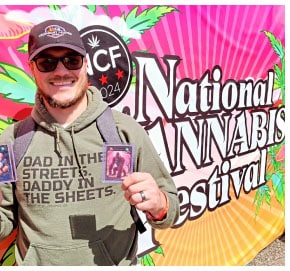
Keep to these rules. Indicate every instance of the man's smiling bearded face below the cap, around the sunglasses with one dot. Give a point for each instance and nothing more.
(62, 87)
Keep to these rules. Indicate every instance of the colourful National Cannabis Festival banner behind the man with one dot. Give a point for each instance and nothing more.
(207, 82)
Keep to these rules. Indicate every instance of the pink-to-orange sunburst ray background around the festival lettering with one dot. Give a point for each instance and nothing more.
(231, 37)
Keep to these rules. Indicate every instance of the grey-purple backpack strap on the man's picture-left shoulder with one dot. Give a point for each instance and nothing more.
(24, 133)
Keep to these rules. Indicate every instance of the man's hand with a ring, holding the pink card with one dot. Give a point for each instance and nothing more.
(138, 183)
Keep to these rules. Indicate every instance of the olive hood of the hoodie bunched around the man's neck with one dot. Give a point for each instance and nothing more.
(95, 107)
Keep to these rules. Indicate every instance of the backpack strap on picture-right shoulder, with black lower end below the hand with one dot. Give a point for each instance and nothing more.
(110, 134)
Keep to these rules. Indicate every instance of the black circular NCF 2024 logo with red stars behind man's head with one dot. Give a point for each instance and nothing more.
(109, 62)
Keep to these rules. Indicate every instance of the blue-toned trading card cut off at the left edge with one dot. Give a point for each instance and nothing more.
(7, 164)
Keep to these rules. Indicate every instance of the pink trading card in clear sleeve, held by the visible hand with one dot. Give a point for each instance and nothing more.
(118, 162)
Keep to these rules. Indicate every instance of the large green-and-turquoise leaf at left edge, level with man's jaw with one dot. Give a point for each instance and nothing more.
(16, 85)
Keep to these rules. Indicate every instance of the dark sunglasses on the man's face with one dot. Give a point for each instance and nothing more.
(49, 64)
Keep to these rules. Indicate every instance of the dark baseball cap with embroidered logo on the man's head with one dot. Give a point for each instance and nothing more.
(54, 33)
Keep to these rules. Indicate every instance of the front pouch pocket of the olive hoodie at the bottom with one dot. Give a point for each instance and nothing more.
(94, 253)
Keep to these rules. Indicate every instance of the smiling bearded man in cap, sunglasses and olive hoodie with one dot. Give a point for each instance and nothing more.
(65, 214)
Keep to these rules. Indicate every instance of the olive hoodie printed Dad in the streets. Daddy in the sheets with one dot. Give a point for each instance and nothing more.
(64, 213)
